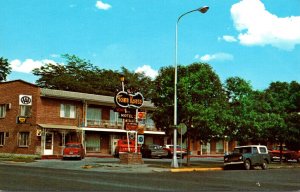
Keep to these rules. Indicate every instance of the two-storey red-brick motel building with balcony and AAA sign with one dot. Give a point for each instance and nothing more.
(41, 121)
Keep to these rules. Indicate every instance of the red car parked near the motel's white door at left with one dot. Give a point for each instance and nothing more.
(73, 150)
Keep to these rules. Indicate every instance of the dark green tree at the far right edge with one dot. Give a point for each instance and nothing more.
(284, 100)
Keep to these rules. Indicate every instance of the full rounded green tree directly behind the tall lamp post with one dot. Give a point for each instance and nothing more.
(201, 101)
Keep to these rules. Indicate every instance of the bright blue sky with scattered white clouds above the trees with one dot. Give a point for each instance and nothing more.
(258, 41)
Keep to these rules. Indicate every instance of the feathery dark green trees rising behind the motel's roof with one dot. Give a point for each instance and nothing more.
(80, 75)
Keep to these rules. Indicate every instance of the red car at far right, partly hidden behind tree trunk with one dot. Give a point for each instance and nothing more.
(286, 154)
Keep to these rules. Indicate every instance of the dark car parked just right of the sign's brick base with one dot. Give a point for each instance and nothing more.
(153, 150)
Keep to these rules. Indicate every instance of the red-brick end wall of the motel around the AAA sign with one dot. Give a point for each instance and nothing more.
(9, 94)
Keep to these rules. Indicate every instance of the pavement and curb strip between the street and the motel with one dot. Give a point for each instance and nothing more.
(113, 165)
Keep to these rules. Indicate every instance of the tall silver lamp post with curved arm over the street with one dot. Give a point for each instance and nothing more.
(174, 160)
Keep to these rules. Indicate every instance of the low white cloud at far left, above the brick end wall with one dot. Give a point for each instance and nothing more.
(28, 65)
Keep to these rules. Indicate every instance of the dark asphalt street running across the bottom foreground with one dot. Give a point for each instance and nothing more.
(25, 178)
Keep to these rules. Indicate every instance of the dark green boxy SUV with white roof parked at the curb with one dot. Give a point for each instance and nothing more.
(248, 157)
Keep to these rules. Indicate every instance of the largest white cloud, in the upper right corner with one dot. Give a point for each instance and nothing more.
(257, 26)
